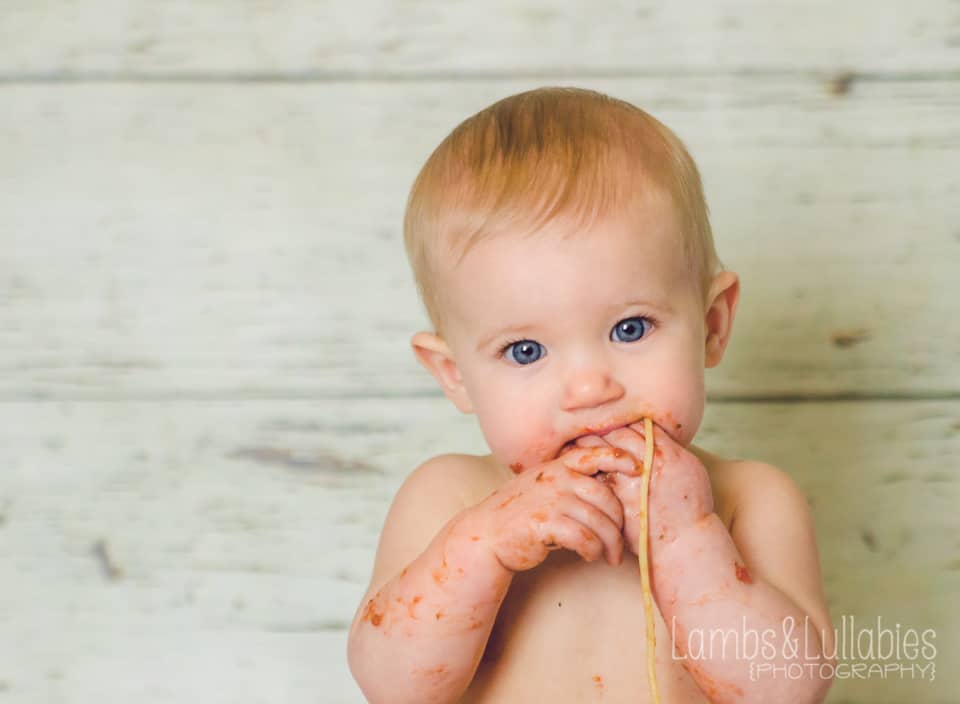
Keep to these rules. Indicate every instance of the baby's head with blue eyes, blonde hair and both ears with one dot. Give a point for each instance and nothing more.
(561, 246)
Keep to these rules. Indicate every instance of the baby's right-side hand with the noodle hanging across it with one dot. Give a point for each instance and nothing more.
(680, 491)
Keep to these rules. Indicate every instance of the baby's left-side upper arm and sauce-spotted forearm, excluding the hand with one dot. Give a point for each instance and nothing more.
(421, 628)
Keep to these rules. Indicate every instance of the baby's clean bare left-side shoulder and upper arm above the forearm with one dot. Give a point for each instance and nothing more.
(432, 494)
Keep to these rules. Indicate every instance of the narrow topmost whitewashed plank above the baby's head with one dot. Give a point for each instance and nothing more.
(284, 39)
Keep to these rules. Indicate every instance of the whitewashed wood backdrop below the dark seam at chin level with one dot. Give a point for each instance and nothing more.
(165, 551)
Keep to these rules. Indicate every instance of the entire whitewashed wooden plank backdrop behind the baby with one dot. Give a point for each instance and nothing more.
(209, 399)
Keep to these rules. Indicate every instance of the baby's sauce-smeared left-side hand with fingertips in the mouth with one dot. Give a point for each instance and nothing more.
(557, 504)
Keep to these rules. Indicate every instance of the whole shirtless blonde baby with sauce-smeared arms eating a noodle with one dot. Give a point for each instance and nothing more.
(561, 246)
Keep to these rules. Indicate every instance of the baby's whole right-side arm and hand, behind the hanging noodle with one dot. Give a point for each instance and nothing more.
(715, 587)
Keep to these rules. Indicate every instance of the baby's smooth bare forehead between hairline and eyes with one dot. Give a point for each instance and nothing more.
(557, 270)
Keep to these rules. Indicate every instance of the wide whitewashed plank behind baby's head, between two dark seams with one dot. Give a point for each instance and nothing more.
(184, 241)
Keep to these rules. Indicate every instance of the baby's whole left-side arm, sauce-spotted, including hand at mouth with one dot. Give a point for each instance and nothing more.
(421, 636)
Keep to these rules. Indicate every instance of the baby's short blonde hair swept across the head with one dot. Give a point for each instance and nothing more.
(545, 154)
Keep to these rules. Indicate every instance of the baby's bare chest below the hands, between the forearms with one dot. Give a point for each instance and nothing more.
(571, 631)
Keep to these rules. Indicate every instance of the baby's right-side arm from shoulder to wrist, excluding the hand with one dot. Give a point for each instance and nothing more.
(761, 580)
